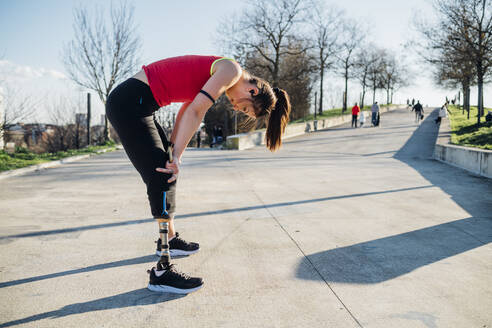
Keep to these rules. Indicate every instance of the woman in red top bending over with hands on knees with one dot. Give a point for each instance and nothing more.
(196, 81)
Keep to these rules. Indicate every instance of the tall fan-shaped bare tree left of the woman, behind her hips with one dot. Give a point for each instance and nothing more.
(101, 54)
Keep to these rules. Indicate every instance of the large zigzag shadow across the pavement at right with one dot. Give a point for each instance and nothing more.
(390, 257)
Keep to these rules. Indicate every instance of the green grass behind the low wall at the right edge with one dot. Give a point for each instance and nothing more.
(464, 131)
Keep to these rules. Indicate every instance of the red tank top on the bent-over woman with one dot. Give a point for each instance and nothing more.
(178, 79)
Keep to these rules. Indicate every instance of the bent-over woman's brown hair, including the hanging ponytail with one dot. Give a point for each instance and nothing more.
(275, 103)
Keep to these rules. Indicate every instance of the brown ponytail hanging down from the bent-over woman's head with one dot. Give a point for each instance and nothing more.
(279, 117)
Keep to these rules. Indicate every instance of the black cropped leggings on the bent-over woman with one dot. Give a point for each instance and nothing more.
(130, 108)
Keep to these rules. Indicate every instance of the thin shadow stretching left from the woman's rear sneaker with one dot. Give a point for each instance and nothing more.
(136, 260)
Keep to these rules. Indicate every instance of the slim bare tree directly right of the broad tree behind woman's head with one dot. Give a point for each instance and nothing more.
(326, 23)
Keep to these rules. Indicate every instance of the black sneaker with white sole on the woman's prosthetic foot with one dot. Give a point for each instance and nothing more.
(173, 281)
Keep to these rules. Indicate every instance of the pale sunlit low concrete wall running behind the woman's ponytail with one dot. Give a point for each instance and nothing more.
(256, 138)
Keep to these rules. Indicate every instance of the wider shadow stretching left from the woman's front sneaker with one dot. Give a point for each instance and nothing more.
(133, 298)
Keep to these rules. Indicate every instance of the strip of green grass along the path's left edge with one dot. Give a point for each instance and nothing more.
(23, 157)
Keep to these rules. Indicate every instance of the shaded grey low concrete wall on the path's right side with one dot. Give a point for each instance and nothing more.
(475, 160)
